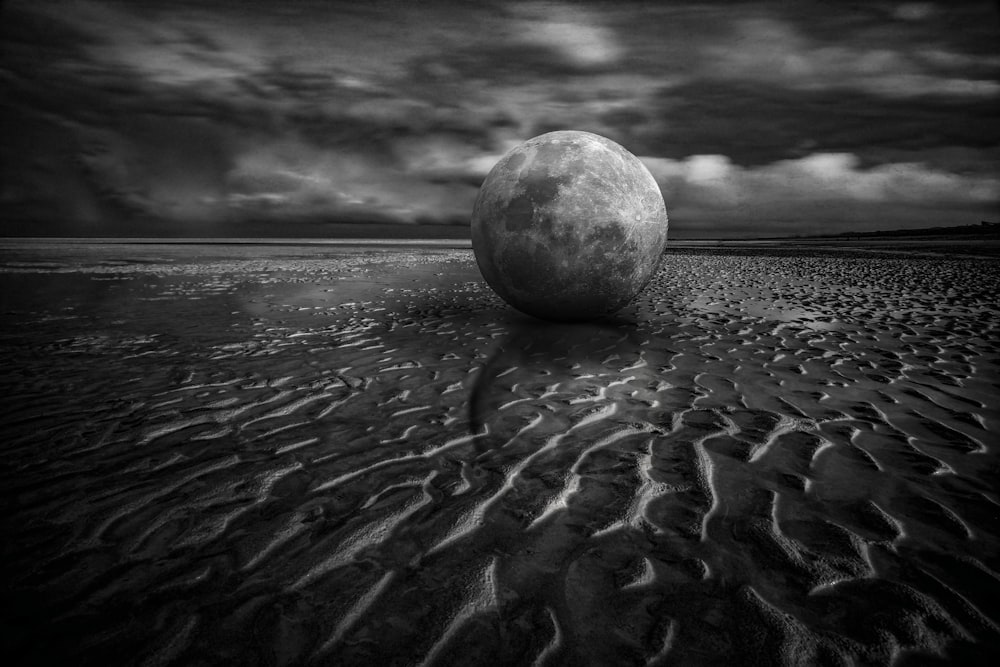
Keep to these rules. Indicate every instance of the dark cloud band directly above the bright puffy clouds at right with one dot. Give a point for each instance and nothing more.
(759, 124)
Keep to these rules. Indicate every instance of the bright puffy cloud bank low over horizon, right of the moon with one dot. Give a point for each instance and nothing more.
(794, 196)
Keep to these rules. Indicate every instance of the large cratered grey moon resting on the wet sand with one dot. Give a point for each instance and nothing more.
(568, 226)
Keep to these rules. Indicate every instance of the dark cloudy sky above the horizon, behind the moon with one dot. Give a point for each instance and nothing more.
(309, 118)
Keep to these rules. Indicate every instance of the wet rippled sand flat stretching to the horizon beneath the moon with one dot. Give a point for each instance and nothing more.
(286, 455)
